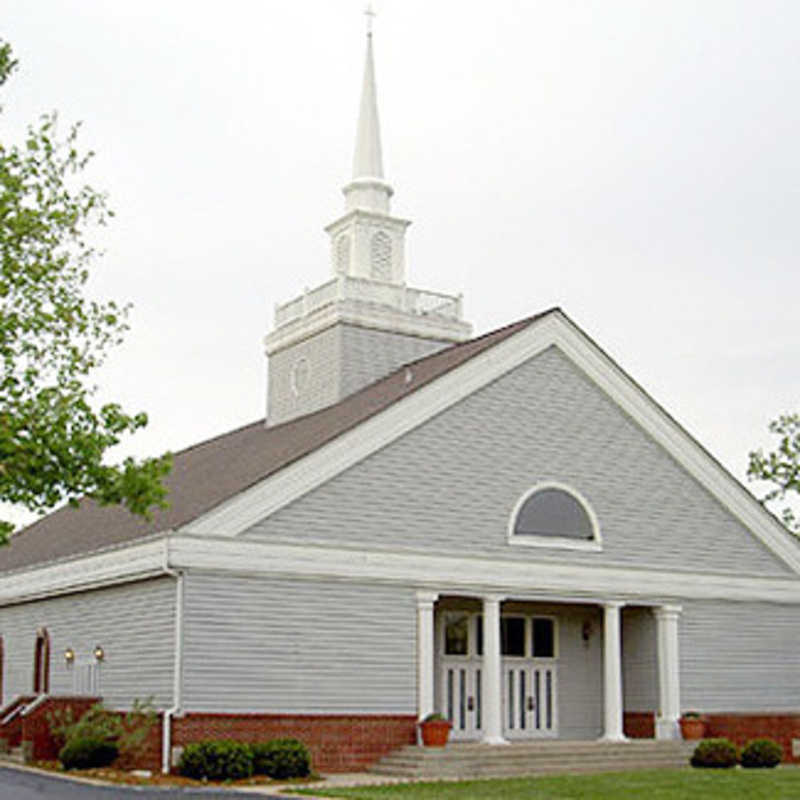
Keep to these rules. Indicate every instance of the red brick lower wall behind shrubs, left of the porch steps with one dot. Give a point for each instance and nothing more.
(337, 743)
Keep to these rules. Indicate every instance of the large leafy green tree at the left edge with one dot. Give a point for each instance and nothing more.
(53, 439)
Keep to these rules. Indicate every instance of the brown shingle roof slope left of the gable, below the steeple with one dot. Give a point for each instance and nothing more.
(208, 473)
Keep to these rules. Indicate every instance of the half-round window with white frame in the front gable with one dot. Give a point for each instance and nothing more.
(554, 515)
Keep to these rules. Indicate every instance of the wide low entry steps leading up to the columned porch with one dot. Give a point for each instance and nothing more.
(469, 760)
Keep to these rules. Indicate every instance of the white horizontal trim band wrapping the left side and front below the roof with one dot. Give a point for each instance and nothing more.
(470, 576)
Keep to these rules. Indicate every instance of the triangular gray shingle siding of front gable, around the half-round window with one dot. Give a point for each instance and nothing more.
(450, 485)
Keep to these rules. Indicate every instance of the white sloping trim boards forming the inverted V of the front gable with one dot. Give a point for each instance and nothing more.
(554, 329)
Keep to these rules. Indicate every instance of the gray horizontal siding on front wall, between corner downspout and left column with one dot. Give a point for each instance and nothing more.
(294, 646)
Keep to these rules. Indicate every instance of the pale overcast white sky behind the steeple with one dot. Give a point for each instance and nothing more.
(636, 163)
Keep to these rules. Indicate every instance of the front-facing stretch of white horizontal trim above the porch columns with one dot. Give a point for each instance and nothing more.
(472, 576)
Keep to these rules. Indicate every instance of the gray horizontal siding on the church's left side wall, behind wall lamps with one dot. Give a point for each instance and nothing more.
(133, 623)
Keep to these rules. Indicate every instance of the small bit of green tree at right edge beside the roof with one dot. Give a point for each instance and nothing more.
(780, 467)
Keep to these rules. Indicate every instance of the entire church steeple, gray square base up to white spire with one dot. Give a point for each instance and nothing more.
(365, 321)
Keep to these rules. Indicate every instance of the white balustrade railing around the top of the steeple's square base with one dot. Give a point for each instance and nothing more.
(344, 287)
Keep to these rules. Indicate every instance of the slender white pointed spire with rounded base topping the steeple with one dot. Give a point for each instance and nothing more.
(368, 190)
